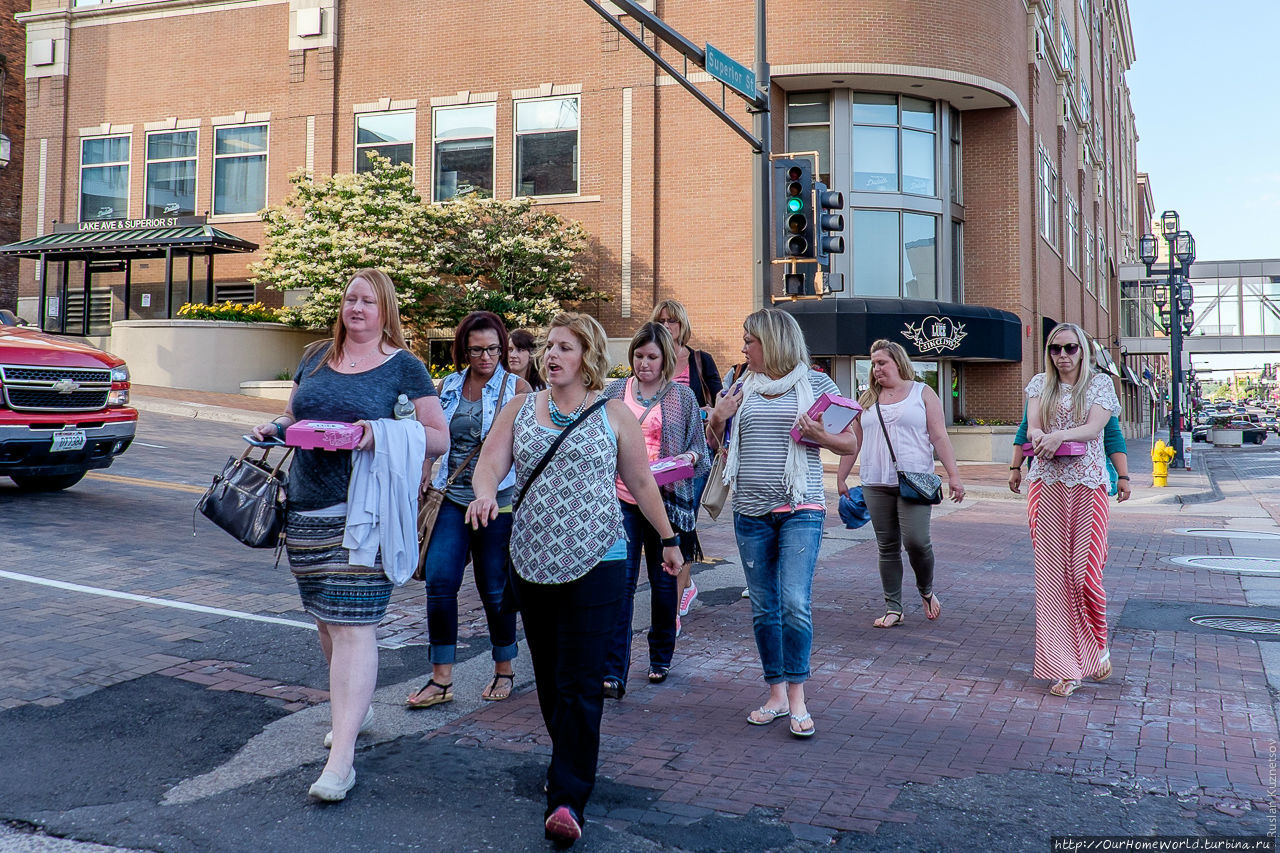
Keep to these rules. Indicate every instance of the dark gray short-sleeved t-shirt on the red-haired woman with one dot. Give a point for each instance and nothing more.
(319, 478)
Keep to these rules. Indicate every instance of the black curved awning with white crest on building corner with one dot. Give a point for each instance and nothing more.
(929, 330)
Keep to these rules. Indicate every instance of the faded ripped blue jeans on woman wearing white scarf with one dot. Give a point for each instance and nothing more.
(779, 555)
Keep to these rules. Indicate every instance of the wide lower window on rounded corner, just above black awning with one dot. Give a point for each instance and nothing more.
(895, 254)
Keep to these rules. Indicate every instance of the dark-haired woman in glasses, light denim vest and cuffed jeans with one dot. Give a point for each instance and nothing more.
(472, 398)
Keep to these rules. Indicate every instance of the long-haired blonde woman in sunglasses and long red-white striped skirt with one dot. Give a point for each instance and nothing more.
(1068, 512)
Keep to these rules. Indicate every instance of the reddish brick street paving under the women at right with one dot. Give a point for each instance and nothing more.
(1187, 714)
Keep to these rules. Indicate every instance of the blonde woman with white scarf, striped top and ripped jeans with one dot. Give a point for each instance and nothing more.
(779, 500)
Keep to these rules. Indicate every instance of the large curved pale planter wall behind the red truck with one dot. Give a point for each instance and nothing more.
(207, 355)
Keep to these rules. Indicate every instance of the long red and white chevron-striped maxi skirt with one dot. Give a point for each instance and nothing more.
(1069, 537)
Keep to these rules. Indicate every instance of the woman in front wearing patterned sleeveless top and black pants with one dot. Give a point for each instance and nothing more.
(568, 545)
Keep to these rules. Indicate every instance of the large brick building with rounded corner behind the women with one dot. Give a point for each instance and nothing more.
(985, 149)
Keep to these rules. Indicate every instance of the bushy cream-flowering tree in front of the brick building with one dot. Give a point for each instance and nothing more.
(447, 259)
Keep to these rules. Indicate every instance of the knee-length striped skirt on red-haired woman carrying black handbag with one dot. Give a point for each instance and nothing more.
(333, 591)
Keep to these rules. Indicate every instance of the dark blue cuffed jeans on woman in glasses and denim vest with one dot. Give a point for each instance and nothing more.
(452, 541)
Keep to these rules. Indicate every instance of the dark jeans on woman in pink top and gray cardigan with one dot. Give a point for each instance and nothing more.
(662, 600)
